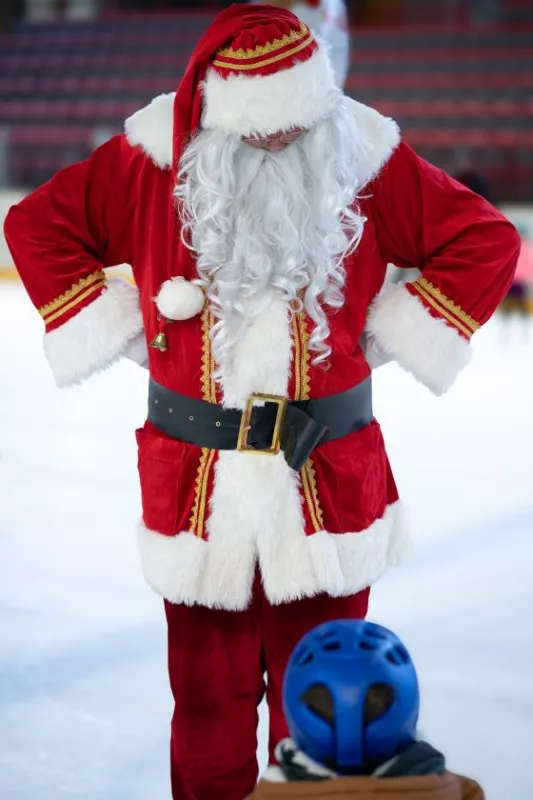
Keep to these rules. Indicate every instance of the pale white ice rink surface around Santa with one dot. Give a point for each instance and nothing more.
(84, 702)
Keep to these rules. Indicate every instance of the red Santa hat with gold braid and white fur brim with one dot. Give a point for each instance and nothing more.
(257, 69)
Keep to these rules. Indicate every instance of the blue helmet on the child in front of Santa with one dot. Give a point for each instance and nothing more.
(348, 661)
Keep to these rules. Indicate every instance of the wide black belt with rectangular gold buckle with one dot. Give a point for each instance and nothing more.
(268, 424)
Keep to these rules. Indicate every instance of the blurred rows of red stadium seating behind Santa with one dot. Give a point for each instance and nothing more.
(65, 88)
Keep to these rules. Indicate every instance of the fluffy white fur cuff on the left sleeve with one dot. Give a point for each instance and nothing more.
(97, 336)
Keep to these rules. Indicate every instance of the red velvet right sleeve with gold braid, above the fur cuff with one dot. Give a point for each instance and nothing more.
(467, 251)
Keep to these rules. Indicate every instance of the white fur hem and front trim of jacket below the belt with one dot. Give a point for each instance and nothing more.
(219, 573)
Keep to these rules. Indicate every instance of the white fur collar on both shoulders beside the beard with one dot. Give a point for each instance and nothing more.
(151, 129)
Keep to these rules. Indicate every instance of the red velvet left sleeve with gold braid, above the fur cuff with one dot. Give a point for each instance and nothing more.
(63, 234)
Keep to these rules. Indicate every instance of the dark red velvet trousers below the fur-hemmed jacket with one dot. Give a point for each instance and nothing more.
(217, 663)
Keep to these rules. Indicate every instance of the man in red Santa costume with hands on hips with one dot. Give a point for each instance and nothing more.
(258, 208)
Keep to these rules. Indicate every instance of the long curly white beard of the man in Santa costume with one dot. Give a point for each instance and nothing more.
(262, 222)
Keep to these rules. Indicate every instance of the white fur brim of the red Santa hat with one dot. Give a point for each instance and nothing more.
(292, 98)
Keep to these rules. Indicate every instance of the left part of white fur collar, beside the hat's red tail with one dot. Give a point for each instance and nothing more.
(151, 129)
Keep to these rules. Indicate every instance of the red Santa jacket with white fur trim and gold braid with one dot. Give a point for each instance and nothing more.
(209, 517)
